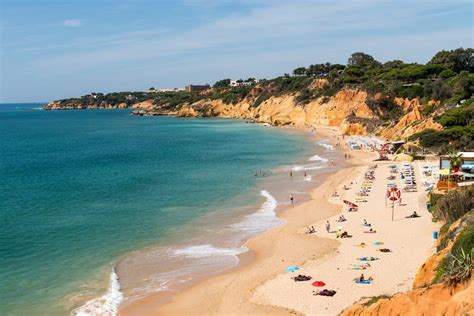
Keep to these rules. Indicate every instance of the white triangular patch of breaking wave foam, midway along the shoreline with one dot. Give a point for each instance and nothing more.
(263, 219)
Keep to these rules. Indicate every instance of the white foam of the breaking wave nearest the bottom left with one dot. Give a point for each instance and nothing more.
(106, 305)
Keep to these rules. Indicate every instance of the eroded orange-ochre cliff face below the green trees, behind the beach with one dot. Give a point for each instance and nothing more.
(348, 110)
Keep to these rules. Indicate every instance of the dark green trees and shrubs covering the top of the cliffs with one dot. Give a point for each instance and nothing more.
(447, 78)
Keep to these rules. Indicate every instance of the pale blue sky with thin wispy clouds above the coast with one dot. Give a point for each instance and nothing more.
(59, 49)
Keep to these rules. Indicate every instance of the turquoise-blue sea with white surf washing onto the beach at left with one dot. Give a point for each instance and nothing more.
(99, 207)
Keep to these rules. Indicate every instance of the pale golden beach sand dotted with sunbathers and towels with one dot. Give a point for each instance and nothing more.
(261, 287)
